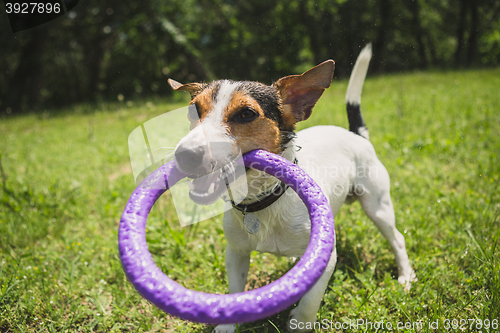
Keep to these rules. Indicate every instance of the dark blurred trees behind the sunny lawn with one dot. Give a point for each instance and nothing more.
(114, 50)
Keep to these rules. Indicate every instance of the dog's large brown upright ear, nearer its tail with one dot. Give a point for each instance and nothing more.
(300, 93)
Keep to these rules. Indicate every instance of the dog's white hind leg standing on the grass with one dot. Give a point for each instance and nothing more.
(376, 201)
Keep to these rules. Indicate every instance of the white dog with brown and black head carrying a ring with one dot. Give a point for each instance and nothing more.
(246, 116)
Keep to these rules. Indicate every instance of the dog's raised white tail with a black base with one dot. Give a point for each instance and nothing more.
(353, 96)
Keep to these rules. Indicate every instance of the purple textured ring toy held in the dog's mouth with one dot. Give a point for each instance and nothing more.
(248, 306)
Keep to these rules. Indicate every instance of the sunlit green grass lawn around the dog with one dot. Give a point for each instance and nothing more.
(66, 179)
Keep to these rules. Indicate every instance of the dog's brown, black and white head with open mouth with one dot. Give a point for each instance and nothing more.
(234, 117)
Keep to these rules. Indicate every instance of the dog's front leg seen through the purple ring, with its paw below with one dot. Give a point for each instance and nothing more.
(237, 265)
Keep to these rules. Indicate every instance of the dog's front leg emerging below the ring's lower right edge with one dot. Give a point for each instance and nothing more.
(304, 315)
